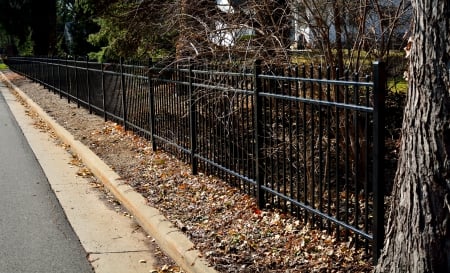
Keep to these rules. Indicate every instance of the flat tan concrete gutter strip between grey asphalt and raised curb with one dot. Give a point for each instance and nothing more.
(112, 242)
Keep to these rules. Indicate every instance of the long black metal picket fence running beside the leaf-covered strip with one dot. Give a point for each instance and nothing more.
(309, 140)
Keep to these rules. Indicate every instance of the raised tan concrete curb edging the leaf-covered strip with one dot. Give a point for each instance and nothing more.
(172, 241)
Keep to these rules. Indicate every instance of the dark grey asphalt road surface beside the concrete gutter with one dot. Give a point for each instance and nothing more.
(35, 235)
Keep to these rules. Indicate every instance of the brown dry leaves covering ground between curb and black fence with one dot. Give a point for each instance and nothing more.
(224, 224)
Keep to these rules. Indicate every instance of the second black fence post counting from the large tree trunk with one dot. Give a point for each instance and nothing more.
(258, 135)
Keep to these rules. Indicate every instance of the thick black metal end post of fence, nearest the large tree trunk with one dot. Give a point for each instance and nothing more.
(379, 90)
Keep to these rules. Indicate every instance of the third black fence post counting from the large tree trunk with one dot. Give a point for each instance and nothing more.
(193, 122)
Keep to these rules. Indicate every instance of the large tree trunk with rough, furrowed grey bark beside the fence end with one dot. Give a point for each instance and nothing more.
(418, 232)
